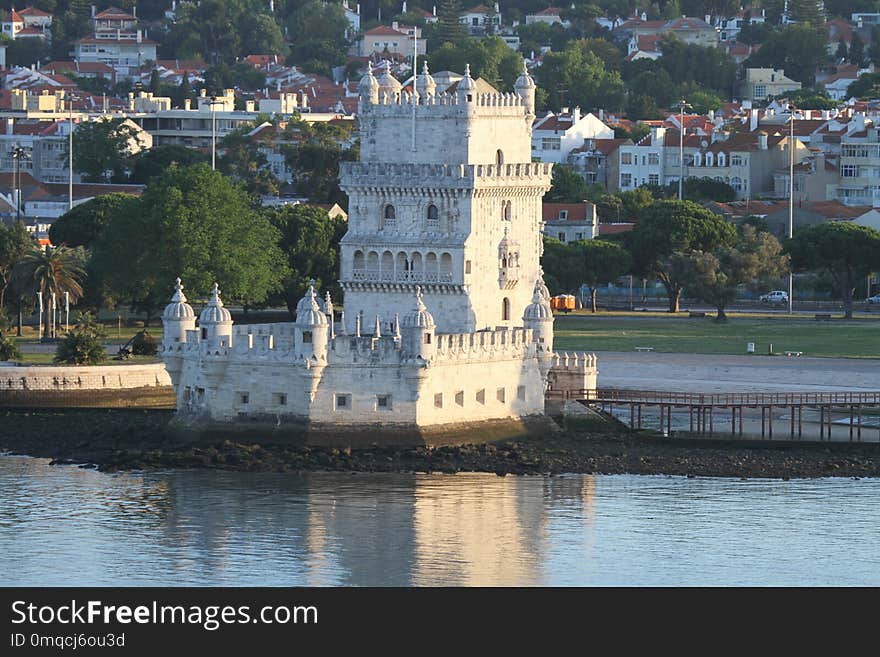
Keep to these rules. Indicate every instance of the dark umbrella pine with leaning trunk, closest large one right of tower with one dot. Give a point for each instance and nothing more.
(668, 228)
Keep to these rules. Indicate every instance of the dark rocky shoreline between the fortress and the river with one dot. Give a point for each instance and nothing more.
(117, 440)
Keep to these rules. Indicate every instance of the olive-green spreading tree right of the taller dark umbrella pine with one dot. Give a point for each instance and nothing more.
(716, 276)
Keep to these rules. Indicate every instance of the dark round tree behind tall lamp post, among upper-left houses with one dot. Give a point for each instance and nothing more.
(103, 149)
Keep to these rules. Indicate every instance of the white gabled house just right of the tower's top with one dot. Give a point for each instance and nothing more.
(555, 136)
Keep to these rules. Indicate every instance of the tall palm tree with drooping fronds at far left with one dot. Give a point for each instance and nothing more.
(57, 270)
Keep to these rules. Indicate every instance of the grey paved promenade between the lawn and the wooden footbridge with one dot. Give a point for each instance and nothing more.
(718, 373)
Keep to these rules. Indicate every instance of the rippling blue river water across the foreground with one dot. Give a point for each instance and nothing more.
(71, 526)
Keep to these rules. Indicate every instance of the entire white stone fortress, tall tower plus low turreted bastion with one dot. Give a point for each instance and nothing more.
(447, 332)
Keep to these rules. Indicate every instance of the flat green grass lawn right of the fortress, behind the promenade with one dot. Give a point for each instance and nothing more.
(857, 338)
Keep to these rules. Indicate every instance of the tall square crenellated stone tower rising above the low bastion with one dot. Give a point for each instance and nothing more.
(445, 197)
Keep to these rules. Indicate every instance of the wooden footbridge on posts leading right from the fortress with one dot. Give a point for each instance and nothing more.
(704, 419)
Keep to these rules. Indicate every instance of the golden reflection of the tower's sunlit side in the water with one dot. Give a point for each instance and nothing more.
(474, 530)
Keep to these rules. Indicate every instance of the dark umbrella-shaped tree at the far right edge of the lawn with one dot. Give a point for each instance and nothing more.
(846, 252)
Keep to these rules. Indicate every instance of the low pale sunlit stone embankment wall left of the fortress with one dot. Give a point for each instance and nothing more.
(108, 386)
